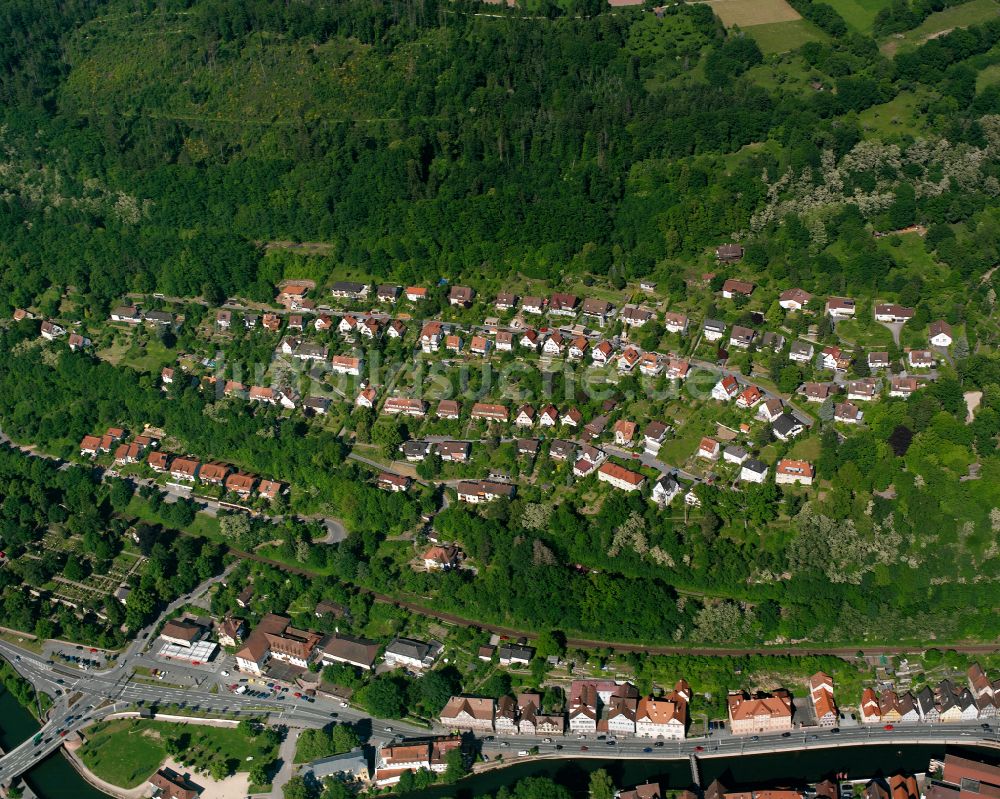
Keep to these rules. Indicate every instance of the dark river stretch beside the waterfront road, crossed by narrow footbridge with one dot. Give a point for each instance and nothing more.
(788, 769)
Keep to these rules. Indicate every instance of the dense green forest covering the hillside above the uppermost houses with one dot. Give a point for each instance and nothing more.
(419, 139)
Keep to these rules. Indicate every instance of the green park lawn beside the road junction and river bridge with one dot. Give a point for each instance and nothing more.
(126, 752)
